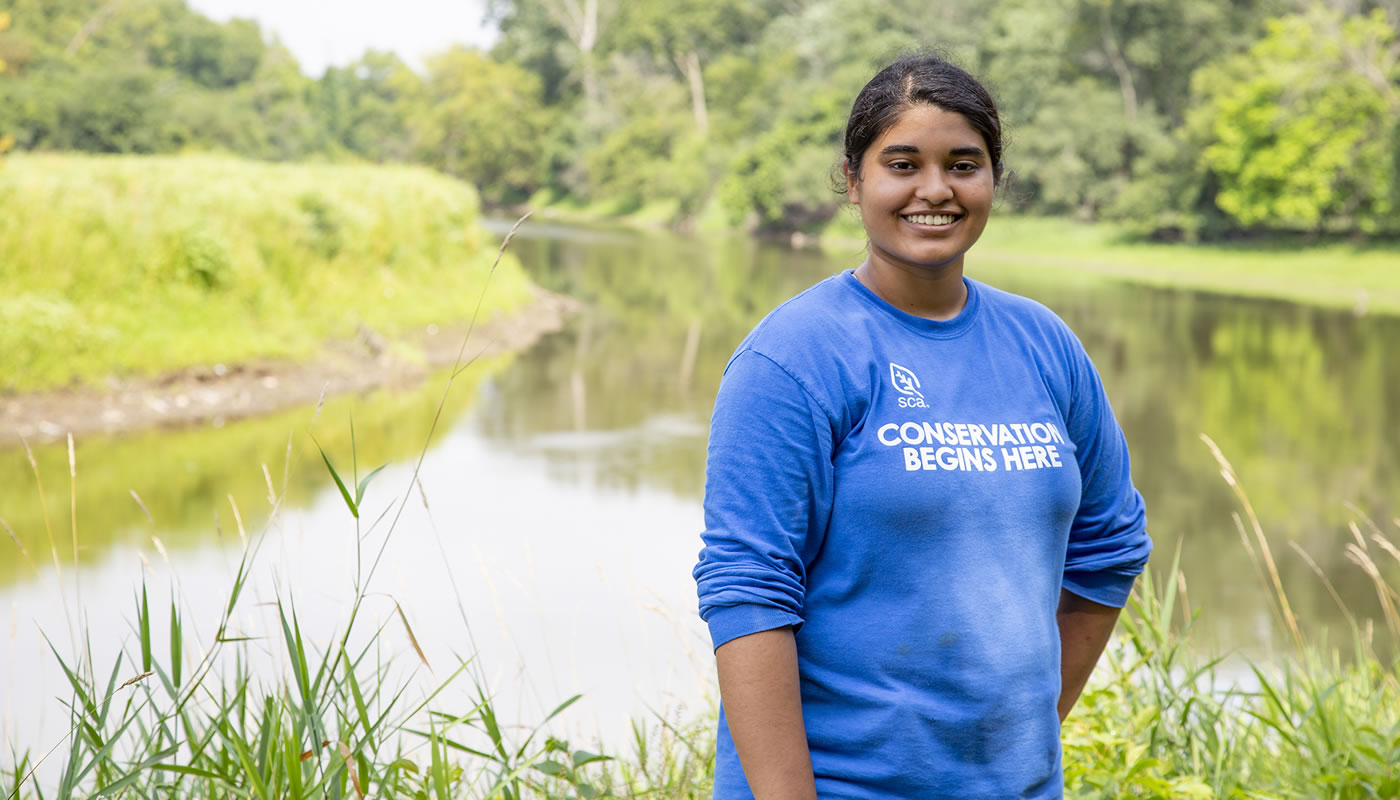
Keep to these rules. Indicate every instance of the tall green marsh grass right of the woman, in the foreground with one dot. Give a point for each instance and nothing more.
(1164, 722)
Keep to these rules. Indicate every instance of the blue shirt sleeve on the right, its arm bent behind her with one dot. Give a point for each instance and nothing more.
(1109, 543)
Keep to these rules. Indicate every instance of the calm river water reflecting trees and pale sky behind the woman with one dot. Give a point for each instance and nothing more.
(559, 512)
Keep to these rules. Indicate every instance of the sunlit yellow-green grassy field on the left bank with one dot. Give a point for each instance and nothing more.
(142, 265)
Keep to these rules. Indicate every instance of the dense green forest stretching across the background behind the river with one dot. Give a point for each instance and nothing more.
(1179, 118)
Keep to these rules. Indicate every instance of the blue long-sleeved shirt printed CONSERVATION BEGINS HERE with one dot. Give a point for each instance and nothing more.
(911, 497)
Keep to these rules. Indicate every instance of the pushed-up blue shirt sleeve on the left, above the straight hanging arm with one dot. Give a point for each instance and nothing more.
(769, 484)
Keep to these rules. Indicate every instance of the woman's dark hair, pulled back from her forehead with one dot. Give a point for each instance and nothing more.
(920, 79)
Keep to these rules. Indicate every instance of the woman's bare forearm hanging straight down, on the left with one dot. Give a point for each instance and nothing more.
(764, 708)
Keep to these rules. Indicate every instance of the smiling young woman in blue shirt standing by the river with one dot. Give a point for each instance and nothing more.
(920, 522)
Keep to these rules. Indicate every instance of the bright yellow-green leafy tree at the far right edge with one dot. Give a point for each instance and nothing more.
(1301, 131)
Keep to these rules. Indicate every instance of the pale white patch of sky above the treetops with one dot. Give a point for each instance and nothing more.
(321, 33)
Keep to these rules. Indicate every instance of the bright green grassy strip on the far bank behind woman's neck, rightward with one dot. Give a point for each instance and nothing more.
(1360, 278)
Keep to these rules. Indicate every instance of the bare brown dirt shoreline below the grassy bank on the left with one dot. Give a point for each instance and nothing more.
(216, 394)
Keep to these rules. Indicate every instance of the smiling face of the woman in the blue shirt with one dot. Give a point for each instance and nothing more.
(925, 190)
